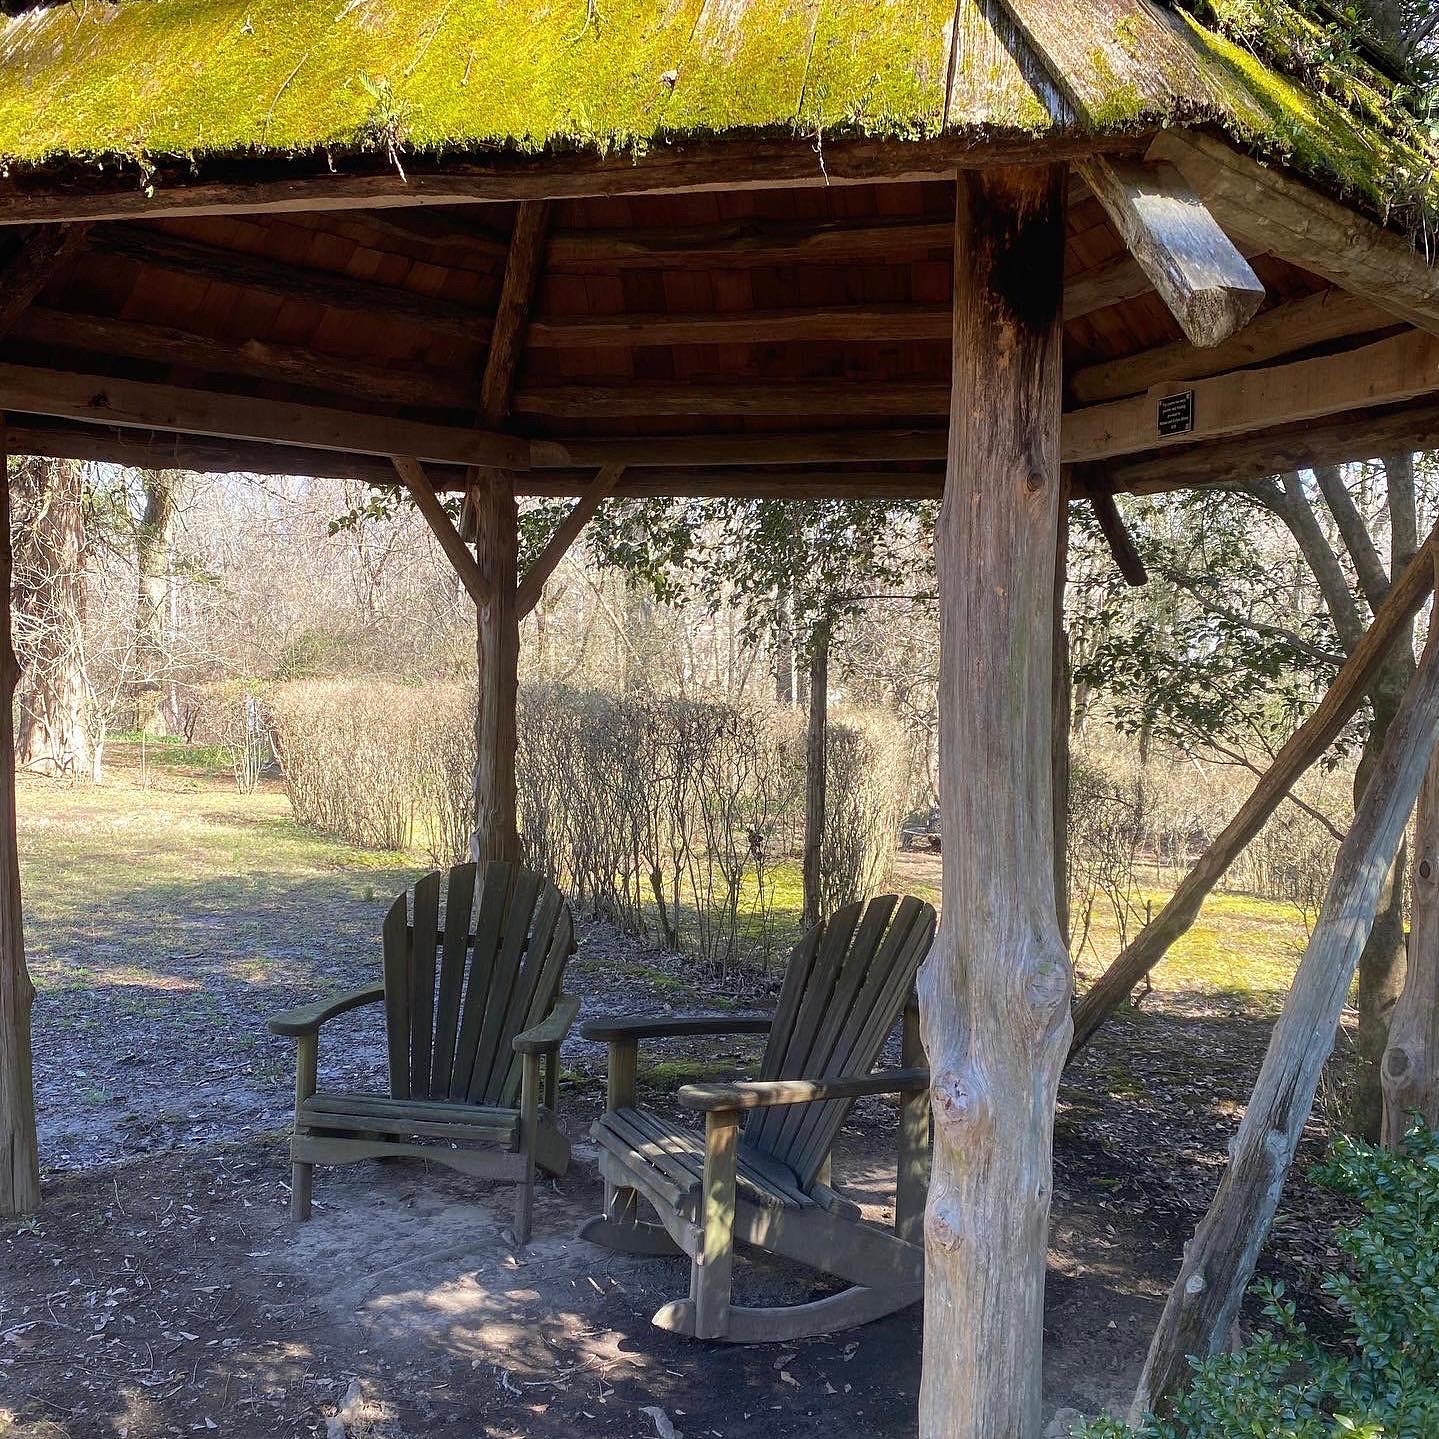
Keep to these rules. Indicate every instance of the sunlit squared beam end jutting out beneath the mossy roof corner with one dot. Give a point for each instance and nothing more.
(1207, 284)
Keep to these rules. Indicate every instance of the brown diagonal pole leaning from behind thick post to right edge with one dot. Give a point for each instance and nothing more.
(1303, 749)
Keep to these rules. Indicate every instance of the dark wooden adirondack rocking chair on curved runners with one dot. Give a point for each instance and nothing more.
(761, 1175)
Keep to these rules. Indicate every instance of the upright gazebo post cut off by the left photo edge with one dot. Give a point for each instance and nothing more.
(19, 1150)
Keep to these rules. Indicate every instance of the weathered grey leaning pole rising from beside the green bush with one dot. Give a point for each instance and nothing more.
(1220, 1261)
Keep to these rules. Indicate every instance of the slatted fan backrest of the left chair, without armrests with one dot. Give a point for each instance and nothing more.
(461, 985)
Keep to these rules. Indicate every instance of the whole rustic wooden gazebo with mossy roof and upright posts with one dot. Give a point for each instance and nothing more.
(1001, 251)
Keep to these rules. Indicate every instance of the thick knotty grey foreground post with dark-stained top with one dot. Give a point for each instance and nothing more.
(995, 991)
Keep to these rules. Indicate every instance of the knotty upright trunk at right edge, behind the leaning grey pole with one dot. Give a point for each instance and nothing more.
(1411, 1067)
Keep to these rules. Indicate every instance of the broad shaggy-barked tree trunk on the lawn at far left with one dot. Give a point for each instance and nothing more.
(50, 619)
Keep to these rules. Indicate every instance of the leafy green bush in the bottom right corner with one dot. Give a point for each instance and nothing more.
(1384, 1381)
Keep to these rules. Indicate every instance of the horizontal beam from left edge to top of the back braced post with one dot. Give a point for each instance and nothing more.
(136, 404)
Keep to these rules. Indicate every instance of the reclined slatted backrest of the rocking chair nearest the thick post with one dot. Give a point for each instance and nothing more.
(844, 991)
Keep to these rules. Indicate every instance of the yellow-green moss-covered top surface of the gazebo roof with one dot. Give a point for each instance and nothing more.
(147, 81)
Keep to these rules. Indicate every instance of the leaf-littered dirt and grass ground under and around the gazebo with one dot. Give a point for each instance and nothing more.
(165, 1292)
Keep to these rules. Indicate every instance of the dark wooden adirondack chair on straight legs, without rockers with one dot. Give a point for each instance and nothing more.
(464, 1053)
